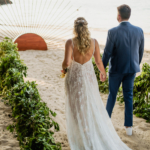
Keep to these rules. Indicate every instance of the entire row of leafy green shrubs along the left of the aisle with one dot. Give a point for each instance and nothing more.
(33, 120)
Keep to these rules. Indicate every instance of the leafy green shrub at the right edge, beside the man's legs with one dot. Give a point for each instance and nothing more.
(141, 99)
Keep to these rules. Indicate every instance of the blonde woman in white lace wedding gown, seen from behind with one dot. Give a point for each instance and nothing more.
(88, 124)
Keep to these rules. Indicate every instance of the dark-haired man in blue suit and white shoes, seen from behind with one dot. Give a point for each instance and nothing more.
(124, 50)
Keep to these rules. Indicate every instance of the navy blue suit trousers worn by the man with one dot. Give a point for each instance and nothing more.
(127, 80)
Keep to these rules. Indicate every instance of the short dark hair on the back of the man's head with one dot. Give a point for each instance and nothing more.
(124, 11)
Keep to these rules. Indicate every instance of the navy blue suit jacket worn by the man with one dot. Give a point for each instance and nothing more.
(124, 49)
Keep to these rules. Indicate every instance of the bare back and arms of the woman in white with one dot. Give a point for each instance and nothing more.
(71, 51)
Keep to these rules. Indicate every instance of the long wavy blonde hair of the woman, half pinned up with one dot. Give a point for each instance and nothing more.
(82, 35)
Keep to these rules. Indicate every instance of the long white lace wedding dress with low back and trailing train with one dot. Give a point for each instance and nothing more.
(88, 124)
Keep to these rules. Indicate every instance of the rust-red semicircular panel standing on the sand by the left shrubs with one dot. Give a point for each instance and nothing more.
(30, 41)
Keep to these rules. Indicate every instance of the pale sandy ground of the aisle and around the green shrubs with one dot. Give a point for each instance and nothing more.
(44, 68)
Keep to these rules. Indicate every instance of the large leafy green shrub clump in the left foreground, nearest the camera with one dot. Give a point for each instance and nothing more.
(34, 119)
